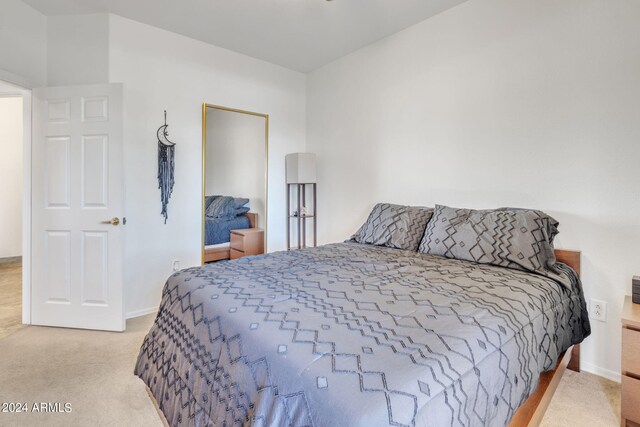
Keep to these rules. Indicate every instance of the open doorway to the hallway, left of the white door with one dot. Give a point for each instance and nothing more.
(14, 131)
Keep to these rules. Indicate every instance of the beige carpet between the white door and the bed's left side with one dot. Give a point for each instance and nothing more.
(91, 370)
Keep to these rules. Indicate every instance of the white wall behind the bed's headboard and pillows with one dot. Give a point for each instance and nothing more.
(530, 103)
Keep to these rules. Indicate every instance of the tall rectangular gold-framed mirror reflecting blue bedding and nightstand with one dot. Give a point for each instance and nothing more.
(234, 183)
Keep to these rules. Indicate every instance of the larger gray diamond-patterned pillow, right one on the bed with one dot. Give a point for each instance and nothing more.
(507, 237)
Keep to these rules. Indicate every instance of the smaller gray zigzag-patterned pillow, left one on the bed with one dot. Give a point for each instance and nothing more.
(394, 226)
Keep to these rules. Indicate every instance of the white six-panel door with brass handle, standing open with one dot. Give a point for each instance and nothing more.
(77, 189)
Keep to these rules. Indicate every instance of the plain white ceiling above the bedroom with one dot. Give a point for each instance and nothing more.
(298, 34)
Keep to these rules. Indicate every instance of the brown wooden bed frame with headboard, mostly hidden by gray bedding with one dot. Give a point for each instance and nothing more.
(532, 411)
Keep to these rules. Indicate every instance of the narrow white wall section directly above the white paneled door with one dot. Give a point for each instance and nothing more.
(77, 49)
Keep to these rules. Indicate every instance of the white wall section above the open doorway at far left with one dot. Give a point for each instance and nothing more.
(23, 44)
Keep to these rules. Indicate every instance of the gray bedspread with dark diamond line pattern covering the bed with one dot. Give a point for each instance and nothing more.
(355, 335)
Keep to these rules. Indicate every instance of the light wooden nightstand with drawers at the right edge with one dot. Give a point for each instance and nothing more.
(630, 401)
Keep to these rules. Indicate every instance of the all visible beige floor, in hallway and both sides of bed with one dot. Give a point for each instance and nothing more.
(93, 371)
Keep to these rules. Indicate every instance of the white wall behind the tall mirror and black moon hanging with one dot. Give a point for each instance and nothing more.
(162, 70)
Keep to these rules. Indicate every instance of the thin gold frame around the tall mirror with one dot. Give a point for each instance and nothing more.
(204, 166)
